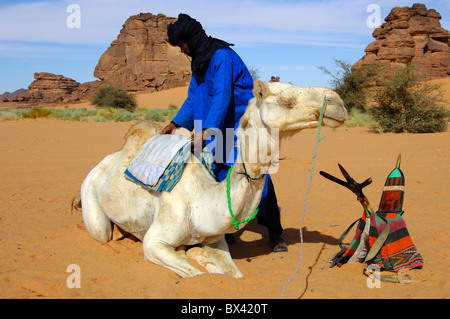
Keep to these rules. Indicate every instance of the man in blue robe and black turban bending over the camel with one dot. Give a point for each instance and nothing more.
(218, 95)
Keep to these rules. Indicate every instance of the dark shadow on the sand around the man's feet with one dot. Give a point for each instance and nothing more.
(242, 249)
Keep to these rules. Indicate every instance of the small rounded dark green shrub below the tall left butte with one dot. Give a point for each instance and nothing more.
(110, 96)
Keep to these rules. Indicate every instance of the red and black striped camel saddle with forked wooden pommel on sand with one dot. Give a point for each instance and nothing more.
(381, 237)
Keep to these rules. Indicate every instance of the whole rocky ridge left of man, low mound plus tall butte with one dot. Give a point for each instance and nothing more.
(140, 59)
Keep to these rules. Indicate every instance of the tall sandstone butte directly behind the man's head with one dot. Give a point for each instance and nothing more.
(141, 57)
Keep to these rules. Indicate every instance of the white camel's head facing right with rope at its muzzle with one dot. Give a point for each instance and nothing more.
(288, 107)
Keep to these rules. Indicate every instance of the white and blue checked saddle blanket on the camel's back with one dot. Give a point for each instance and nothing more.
(159, 163)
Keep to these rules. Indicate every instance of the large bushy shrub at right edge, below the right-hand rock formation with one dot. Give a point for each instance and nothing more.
(406, 104)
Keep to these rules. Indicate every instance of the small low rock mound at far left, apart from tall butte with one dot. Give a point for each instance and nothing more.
(47, 88)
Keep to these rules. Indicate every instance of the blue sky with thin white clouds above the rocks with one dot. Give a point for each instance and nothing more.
(286, 38)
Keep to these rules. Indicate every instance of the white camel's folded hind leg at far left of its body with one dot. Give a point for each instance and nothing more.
(97, 223)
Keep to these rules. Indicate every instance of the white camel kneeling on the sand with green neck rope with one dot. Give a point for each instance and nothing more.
(196, 212)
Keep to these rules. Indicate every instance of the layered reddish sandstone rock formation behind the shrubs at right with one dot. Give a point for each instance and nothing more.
(411, 35)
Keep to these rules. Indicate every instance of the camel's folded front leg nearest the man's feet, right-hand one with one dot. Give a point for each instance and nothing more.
(220, 255)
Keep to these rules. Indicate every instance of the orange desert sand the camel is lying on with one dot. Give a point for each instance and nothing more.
(44, 162)
